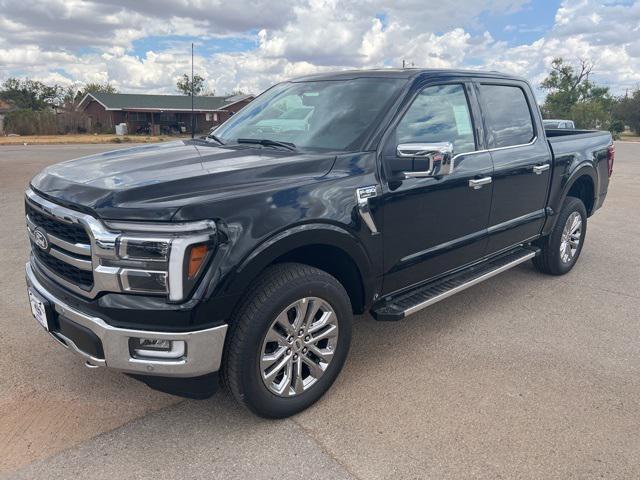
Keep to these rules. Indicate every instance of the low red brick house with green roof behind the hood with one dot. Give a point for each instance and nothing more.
(160, 114)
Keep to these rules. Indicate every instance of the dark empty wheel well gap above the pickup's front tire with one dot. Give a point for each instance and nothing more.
(335, 262)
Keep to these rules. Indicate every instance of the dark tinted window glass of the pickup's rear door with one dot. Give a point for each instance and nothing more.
(507, 115)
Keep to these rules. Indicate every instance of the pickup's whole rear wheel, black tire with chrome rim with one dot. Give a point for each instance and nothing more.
(552, 259)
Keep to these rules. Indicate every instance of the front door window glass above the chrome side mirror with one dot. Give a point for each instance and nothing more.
(439, 114)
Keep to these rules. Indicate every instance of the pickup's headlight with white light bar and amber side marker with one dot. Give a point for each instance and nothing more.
(163, 259)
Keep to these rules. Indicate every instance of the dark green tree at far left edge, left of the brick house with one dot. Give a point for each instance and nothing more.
(30, 94)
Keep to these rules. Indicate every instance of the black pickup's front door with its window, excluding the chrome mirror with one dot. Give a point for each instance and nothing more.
(436, 224)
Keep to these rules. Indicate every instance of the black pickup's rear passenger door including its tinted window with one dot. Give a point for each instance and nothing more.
(521, 161)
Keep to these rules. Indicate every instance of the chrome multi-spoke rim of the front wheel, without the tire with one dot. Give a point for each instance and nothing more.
(298, 347)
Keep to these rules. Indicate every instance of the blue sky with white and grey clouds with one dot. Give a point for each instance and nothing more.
(143, 45)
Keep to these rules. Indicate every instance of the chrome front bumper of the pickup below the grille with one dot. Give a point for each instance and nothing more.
(203, 347)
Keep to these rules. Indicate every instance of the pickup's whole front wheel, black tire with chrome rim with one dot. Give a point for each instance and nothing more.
(259, 330)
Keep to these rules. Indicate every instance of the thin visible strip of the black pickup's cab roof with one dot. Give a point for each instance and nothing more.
(402, 73)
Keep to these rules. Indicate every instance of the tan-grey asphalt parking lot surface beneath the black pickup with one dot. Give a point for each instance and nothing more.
(522, 376)
